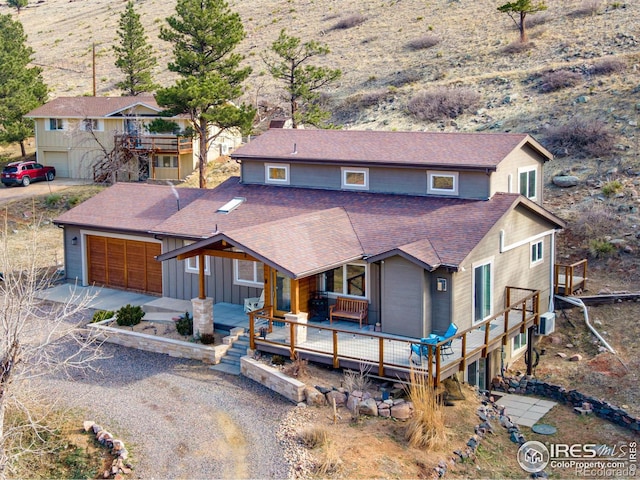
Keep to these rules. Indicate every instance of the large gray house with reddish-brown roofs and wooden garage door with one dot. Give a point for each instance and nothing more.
(428, 228)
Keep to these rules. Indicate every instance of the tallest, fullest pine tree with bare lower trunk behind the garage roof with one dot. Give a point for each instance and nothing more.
(204, 34)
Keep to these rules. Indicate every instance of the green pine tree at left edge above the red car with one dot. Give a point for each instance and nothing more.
(21, 87)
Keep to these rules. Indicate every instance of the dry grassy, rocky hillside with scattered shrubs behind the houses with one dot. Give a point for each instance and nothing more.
(575, 86)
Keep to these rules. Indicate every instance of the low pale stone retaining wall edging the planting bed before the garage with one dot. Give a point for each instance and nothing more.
(152, 343)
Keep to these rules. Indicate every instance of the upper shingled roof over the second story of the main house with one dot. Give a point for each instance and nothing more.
(352, 147)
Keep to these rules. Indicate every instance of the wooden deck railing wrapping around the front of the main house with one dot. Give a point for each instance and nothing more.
(389, 355)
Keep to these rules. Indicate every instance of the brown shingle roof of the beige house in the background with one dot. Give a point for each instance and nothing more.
(90, 107)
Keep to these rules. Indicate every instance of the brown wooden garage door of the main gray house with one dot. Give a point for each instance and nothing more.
(121, 263)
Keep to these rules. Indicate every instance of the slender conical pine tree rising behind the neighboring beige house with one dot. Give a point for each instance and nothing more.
(134, 55)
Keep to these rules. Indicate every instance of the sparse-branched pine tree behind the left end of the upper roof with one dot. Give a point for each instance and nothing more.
(302, 81)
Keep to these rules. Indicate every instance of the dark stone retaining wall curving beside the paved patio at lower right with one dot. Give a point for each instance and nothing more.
(531, 386)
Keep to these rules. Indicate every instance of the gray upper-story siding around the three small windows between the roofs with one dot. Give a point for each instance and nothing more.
(391, 180)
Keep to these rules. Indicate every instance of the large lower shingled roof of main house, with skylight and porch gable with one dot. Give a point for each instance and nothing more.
(301, 231)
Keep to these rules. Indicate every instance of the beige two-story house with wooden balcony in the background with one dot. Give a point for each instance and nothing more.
(75, 134)
